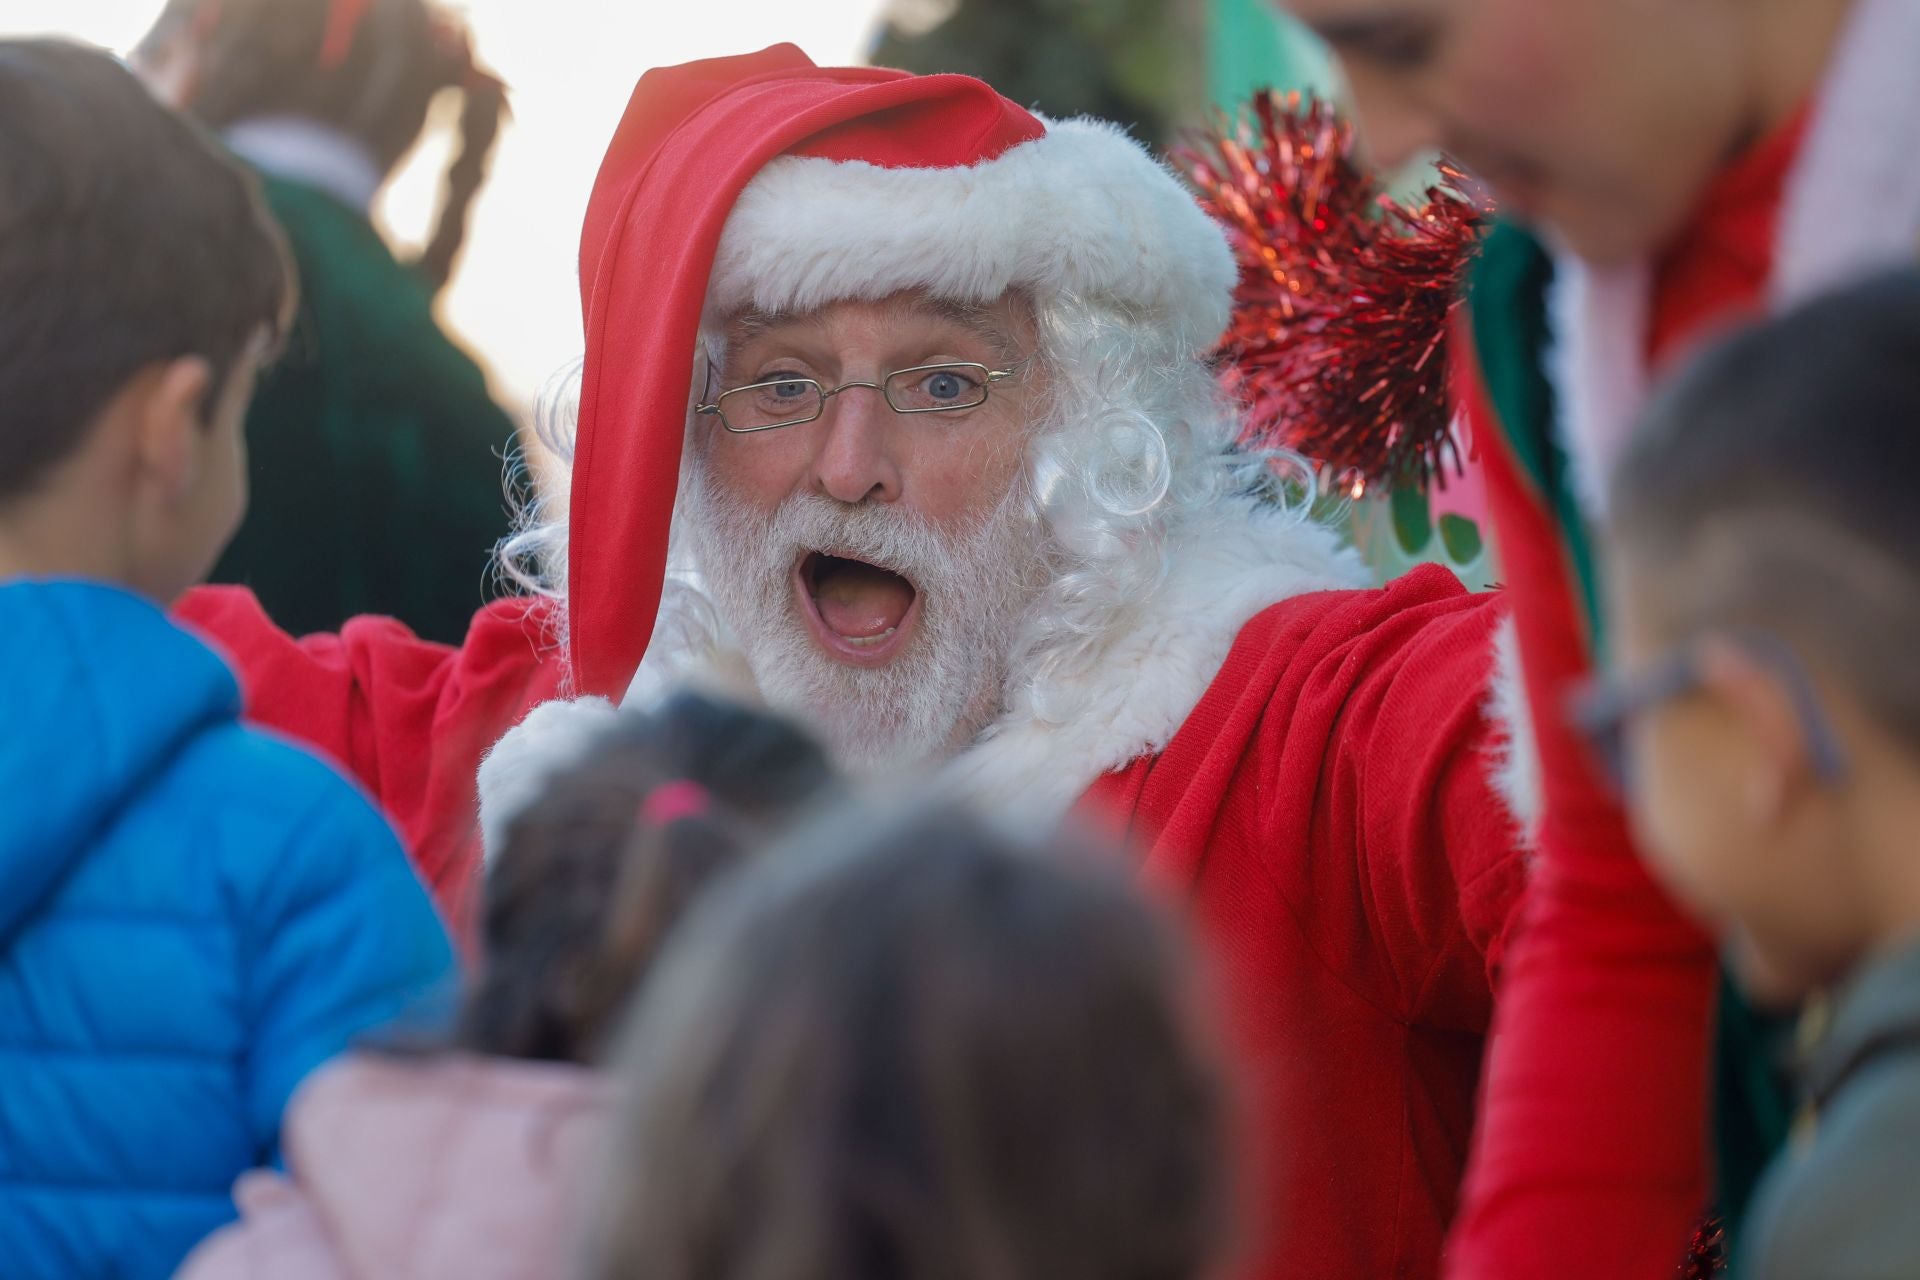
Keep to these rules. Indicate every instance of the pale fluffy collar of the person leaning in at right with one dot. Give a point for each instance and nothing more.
(1852, 204)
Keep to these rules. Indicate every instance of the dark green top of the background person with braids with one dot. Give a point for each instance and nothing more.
(375, 448)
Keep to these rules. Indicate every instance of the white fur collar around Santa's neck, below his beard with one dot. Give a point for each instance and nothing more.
(1128, 698)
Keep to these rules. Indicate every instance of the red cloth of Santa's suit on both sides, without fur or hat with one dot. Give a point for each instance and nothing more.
(1326, 811)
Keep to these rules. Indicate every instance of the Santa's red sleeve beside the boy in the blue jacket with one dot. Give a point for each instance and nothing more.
(406, 717)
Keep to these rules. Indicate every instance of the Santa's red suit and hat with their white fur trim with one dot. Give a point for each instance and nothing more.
(1303, 761)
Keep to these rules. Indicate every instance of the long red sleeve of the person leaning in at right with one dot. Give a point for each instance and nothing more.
(1591, 1156)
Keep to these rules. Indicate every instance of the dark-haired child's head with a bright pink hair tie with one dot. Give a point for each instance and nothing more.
(594, 872)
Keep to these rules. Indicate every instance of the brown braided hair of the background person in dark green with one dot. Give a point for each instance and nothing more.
(368, 68)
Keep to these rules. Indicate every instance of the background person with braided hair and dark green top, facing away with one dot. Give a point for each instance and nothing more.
(377, 446)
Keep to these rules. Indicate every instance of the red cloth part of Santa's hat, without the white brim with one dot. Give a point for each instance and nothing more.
(690, 143)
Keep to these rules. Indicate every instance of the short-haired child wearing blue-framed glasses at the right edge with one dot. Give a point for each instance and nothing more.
(1765, 723)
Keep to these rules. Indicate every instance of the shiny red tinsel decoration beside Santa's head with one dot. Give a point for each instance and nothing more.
(1339, 329)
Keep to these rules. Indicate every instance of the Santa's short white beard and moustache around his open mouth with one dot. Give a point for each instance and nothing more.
(946, 684)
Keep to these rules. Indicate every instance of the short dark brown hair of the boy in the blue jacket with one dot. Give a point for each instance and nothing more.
(126, 241)
